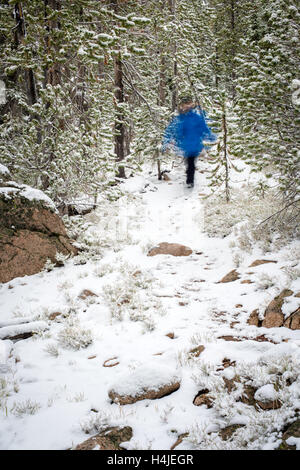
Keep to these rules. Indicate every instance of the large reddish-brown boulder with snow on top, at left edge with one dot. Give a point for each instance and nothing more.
(31, 232)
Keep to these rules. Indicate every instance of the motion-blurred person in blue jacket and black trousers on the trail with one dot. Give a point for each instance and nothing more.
(186, 131)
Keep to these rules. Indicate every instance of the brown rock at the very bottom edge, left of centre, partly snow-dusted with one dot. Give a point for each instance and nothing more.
(109, 439)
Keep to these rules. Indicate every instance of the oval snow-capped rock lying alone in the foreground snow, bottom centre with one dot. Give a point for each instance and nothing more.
(149, 384)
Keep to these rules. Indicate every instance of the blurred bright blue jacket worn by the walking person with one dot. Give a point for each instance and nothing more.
(187, 131)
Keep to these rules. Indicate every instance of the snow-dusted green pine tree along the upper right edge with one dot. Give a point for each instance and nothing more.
(269, 119)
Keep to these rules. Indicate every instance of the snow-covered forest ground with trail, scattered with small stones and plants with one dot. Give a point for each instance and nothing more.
(113, 318)
